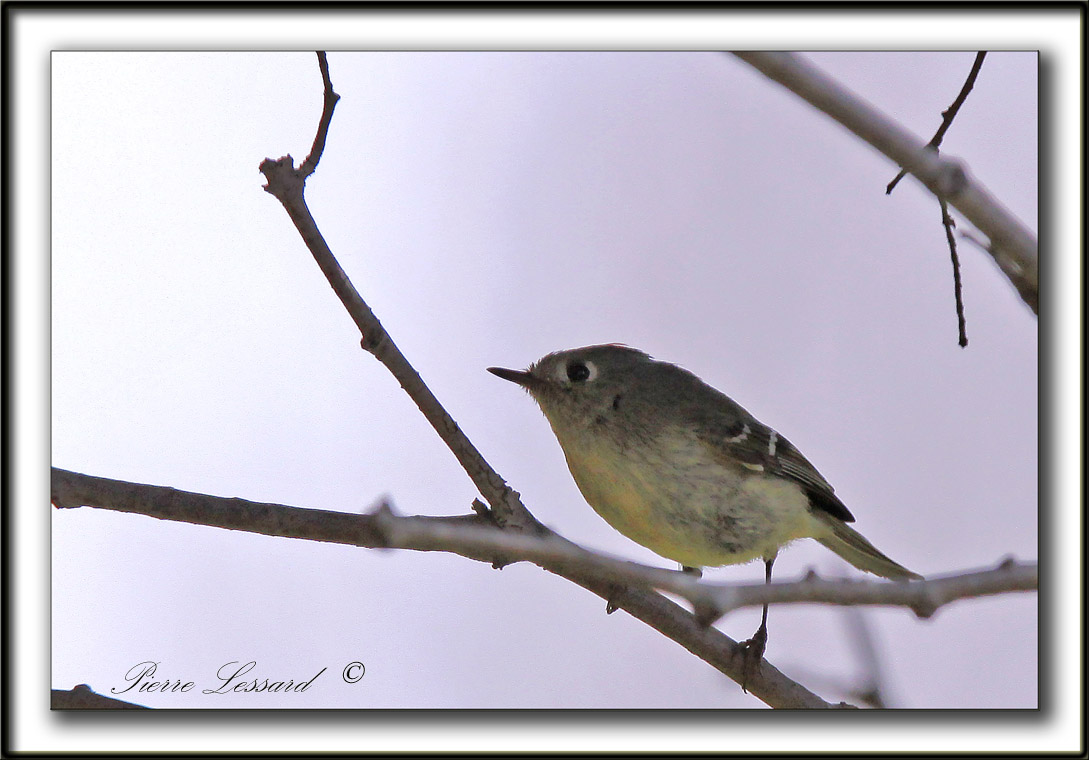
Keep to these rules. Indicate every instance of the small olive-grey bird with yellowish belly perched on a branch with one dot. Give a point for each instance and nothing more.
(682, 470)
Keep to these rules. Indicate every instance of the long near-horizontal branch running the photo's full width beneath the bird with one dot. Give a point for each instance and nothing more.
(478, 538)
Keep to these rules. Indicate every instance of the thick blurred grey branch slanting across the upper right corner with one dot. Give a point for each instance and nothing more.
(1012, 246)
